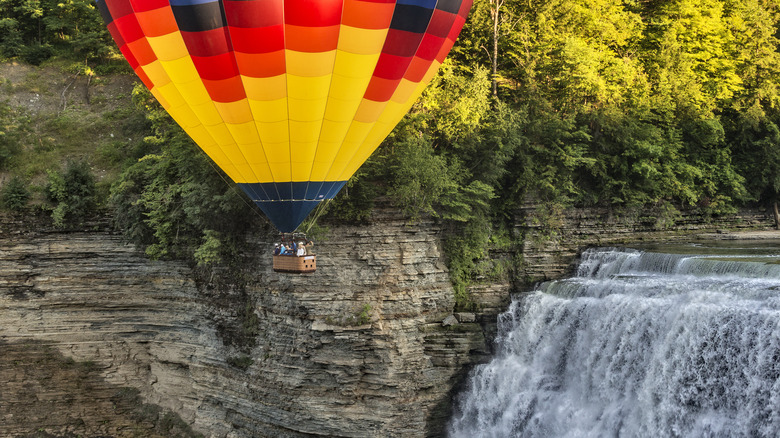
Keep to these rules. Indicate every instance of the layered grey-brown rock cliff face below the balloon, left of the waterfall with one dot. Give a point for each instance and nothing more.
(357, 349)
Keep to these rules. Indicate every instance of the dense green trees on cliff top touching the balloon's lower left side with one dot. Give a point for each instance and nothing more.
(174, 200)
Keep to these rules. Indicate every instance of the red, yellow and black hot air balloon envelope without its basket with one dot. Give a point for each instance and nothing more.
(287, 97)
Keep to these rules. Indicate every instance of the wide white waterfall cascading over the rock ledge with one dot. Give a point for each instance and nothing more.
(637, 344)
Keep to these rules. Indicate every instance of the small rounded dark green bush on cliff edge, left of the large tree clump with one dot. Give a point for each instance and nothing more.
(71, 193)
